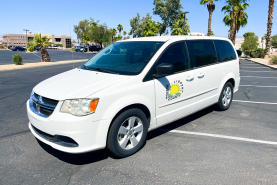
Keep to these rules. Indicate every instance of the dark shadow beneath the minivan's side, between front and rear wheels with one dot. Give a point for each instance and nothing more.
(180, 122)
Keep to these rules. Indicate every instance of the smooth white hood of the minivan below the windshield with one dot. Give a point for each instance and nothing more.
(76, 83)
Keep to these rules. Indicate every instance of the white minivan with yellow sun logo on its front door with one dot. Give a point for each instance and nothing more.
(131, 87)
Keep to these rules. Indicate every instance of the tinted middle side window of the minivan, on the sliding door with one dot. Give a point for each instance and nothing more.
(202, 52)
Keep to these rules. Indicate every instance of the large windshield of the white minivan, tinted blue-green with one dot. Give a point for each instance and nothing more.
(126, 58)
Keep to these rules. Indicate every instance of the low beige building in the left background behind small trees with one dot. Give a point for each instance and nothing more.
(20, 39)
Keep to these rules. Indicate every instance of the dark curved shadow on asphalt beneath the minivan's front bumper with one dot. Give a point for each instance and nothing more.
(76, 159)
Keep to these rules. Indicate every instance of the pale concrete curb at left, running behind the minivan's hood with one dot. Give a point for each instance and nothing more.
(39, 64)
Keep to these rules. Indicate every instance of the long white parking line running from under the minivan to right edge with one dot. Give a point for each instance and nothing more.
(220, 136)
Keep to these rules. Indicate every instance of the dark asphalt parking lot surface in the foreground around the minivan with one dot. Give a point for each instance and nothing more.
(238, 146)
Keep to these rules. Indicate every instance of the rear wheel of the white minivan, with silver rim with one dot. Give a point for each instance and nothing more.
(225, 98)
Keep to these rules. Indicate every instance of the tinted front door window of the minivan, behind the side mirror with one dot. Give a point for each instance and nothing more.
(176, 55)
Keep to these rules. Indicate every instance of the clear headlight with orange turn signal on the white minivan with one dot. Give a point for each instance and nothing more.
(79, 107)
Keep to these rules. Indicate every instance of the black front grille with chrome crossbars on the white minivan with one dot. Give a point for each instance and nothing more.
(42, 106)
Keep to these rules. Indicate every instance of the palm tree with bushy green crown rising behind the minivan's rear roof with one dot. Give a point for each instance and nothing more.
(235, 9)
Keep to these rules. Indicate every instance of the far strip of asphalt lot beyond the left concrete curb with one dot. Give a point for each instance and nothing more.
(55, 55)
